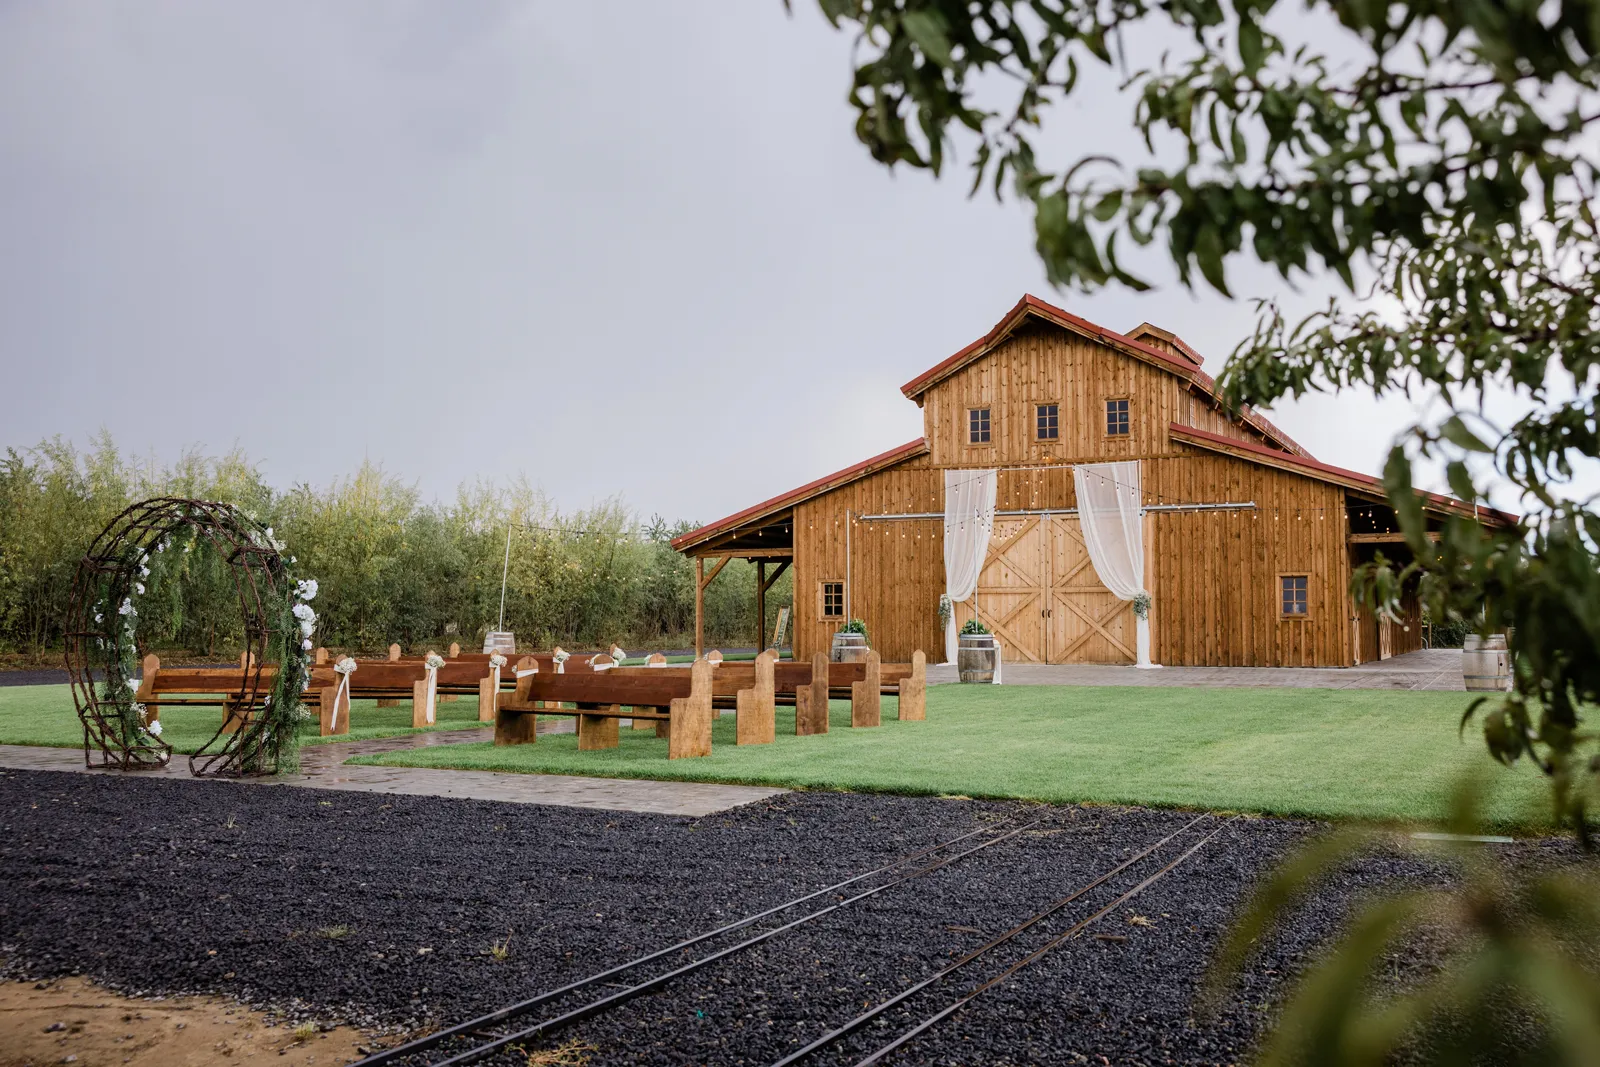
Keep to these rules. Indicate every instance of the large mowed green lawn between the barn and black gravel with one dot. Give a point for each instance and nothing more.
(1306, 753)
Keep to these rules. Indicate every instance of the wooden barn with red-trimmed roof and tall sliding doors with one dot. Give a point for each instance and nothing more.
(1247, 540)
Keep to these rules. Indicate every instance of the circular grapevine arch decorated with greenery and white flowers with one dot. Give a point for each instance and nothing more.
(103, 621)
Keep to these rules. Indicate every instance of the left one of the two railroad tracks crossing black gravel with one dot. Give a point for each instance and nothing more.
(478, 1039)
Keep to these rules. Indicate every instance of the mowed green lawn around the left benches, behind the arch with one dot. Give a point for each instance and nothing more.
(44, 716)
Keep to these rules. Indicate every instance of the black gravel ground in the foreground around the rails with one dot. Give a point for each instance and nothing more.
(385, 911)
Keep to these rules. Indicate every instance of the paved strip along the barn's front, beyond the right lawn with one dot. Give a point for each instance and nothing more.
(1428, 669)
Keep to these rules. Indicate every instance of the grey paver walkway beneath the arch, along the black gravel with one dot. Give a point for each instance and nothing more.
(322, 767)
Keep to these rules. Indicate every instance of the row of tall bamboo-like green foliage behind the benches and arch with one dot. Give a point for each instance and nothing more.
(393, 567)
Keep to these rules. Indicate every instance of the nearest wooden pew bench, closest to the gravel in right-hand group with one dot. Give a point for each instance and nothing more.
(679, 700)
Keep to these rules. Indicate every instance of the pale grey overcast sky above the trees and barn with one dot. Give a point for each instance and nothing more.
(623, 249)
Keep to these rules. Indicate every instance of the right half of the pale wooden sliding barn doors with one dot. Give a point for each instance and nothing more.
(1087, 625)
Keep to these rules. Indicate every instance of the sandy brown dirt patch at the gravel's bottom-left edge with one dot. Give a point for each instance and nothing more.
(74, 1021)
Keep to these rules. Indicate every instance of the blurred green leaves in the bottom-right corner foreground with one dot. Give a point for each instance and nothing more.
(1519, 985)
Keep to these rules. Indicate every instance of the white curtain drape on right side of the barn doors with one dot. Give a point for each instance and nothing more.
(1111, 514)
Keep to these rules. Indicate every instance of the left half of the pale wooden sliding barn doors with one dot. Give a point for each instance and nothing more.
(1014, 586)
